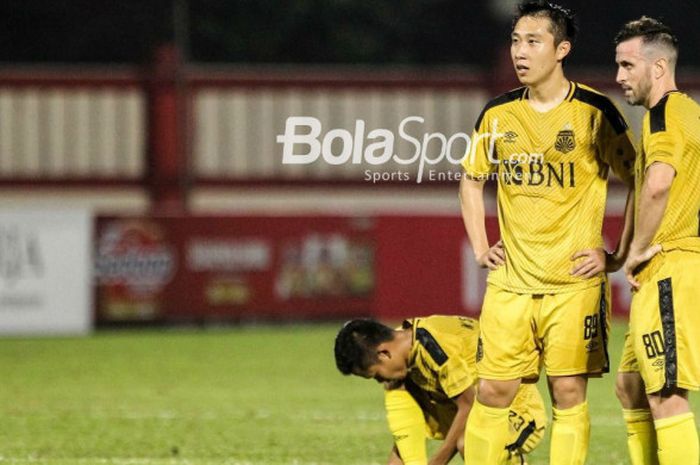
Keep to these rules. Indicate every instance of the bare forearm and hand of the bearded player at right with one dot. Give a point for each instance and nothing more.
(652, 205)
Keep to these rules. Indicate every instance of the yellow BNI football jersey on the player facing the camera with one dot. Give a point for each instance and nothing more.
(552, 171)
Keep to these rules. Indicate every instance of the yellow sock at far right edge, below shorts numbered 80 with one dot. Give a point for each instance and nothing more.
(678, 440)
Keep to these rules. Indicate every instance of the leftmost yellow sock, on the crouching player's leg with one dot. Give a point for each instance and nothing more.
(407, 425)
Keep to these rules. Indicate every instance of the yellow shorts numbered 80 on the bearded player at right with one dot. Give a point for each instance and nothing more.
(663, 342)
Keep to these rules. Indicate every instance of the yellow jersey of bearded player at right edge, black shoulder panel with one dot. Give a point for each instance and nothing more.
(671, 134)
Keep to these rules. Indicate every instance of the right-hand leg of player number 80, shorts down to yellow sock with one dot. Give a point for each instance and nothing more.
(665, 327)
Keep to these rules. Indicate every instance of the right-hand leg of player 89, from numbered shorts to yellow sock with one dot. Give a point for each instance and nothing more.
(573, 327)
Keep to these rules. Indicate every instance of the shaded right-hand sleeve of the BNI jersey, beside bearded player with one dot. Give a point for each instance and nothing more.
(616, 147)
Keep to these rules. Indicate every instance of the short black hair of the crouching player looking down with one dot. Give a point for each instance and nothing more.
(356, 344)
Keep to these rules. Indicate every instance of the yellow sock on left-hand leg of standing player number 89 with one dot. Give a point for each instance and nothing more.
(486, 435)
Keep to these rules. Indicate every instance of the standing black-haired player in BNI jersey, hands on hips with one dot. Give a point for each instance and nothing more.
(550, 145)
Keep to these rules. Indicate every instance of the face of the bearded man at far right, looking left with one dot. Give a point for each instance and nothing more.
(633, 71)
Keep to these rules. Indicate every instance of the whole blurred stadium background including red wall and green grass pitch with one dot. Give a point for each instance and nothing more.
(142, 184)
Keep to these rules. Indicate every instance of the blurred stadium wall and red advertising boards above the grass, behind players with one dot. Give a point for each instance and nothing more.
(142, 180)
